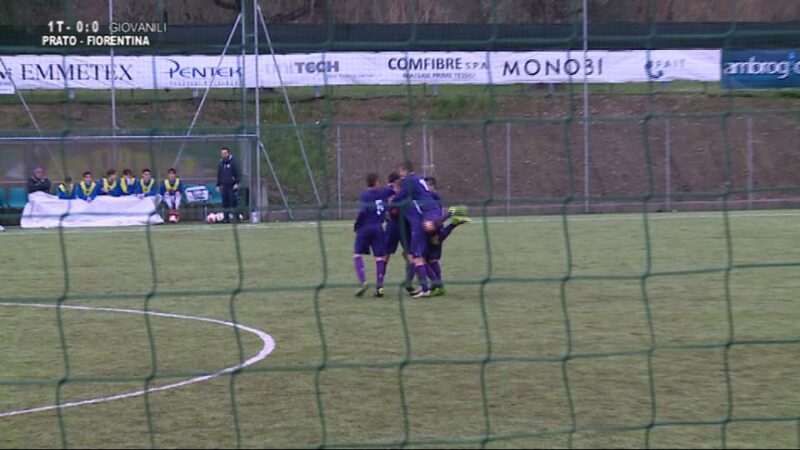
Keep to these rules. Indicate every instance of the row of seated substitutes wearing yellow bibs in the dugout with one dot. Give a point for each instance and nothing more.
(170, 189)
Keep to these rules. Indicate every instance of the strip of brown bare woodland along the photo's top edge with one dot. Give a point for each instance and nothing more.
(199, 12)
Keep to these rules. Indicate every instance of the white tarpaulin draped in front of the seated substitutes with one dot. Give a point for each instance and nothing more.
(47, 211)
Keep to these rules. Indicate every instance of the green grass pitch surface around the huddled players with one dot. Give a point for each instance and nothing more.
(630, 335)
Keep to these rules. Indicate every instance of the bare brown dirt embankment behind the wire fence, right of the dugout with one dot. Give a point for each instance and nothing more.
(538, 144)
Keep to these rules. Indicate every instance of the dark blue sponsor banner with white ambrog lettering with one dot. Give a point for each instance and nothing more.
(752, 69)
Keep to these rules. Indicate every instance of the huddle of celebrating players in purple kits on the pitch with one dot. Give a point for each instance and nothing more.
(414, 218)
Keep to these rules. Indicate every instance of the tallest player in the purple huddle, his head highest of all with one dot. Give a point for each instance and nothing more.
(418, 207)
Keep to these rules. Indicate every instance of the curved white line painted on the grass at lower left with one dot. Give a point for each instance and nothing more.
(266, 349)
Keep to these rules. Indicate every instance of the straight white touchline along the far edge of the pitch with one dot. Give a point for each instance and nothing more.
(611, 217)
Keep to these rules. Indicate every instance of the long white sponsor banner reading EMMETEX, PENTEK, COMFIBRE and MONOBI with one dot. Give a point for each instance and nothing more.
(358, 68)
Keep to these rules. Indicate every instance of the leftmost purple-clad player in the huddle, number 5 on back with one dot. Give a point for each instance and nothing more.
(369, 233)
